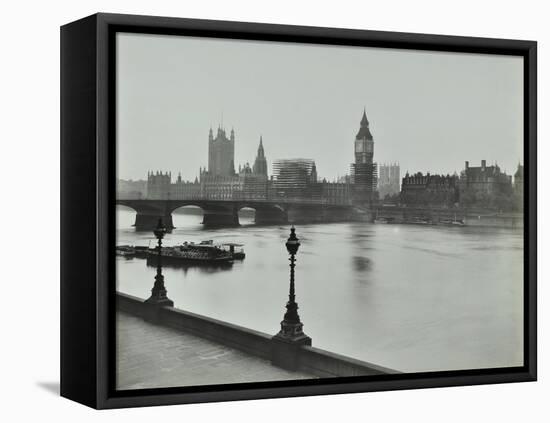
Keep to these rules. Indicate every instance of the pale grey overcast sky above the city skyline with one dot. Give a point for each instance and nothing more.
(429, 111)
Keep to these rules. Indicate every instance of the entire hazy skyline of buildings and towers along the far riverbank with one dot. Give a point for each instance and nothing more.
(366, 183)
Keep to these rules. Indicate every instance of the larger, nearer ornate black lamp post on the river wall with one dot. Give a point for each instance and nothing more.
(291, 326)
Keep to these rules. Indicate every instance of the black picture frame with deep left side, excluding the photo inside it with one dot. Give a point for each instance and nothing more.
(88, 198)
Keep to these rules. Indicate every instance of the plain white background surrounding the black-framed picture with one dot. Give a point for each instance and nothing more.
(29, 95)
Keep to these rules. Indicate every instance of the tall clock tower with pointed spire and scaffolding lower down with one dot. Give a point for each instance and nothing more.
(363, 168)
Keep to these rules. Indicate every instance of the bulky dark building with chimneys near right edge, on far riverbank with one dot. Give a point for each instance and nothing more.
(484, 186)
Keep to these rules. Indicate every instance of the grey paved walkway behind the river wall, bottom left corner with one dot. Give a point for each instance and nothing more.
(152, 356)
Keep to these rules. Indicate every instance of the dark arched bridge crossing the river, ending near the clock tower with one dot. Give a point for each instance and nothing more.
(225, 212)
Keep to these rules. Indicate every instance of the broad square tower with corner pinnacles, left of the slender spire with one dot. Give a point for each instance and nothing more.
(221, 153)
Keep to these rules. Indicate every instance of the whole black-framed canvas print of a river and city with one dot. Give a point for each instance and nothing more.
(257, 211)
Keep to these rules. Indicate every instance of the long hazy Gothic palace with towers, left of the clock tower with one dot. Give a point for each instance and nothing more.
(295, 179)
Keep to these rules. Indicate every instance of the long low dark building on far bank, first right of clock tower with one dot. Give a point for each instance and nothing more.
(420, 190)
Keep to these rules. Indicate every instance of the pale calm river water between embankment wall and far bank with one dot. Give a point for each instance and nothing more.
(412, 298)
